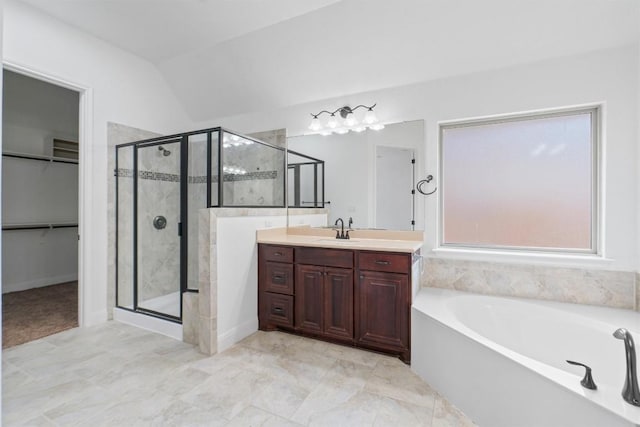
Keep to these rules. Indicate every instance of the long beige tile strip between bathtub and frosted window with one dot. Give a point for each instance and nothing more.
(574, 285)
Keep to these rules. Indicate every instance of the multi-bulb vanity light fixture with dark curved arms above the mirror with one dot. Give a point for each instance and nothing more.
(350, 122)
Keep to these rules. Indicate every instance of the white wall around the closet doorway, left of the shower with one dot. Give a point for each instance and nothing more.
(118, 87)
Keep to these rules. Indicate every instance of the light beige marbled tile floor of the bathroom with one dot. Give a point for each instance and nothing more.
(117, 375)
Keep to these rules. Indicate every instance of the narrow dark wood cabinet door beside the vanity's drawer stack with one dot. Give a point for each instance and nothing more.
(309, 296)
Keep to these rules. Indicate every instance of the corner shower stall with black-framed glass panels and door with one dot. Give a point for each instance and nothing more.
(161, 184)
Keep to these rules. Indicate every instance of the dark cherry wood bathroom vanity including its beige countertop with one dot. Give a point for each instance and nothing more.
(356, 292)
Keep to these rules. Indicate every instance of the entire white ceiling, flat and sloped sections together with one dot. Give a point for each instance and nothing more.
(228, 57)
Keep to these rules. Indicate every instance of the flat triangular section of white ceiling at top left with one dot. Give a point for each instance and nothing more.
(161, 29)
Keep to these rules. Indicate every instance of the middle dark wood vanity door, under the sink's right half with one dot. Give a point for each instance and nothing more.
(338, 303)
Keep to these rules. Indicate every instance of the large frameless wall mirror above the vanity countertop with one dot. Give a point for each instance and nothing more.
(364, 176)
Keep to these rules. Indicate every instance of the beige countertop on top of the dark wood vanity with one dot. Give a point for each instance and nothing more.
(374, 240)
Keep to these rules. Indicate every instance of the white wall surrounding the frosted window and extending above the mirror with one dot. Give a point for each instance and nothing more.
(608, 76)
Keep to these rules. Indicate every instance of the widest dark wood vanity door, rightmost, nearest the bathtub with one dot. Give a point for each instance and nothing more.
(383, 310)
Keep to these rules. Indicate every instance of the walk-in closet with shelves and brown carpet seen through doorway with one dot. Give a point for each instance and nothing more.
(40, 123)
